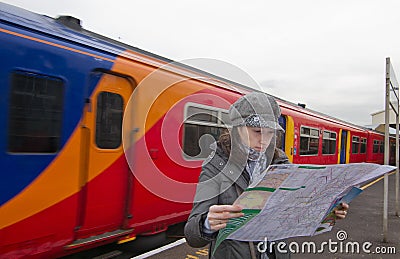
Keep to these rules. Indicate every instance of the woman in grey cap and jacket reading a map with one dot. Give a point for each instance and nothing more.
(240, 159)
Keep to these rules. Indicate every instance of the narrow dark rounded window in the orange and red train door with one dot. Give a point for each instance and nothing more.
(109, 120)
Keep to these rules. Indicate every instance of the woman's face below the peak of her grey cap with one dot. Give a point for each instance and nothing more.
(256, 138)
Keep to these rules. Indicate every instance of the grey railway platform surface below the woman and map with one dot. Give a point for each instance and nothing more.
(360, 235)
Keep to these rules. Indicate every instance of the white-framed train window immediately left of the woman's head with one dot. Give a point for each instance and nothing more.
(202, 127)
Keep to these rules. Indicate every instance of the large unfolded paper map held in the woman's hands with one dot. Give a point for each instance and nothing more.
(297, 200)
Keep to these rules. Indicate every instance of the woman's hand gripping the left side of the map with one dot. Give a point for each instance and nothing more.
(218, 215)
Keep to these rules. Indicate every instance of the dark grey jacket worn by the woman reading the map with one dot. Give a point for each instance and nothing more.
(219, 184)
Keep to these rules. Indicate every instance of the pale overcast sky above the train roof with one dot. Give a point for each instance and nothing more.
(329, 55)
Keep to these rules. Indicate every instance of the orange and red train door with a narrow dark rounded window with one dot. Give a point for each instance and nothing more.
(104, 175)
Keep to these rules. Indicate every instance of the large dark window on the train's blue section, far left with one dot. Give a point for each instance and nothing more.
(35, 115)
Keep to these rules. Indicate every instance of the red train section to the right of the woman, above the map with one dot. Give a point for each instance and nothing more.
(315, 138)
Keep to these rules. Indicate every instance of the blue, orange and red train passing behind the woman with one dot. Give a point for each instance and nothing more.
(69, 181)
